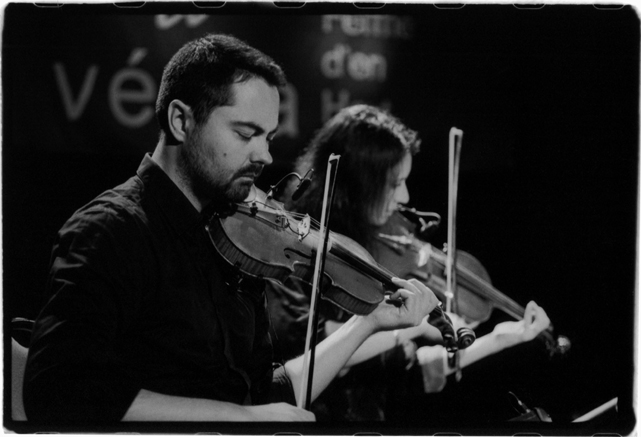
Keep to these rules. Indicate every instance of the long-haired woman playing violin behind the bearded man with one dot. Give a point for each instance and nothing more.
(376, 152)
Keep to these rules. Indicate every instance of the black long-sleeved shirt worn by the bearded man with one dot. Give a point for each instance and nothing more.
(140, 301)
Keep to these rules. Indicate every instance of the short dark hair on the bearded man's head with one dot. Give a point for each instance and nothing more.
(202, 72)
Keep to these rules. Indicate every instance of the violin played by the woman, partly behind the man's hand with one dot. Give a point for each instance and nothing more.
(407, 256)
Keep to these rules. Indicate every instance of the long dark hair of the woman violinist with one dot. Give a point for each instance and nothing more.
(370, 142)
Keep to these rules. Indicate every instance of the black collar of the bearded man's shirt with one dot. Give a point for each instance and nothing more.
(182, 215)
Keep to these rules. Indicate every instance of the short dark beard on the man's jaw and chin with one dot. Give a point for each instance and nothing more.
(194, 163)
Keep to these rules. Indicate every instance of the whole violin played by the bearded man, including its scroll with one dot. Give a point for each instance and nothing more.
(260, 239)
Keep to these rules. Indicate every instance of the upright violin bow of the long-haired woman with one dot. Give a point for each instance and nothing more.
(451, 301)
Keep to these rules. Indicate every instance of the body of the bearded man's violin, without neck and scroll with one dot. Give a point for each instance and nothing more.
(269, 243)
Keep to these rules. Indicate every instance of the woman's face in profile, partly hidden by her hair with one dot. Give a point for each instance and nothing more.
(395, 192)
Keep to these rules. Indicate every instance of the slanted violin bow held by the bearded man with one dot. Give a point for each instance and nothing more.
(304, 398)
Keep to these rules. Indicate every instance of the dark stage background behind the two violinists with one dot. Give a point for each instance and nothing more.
(547, 200)
